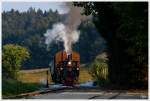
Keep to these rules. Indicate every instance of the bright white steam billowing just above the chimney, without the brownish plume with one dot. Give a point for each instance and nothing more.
(62, 33)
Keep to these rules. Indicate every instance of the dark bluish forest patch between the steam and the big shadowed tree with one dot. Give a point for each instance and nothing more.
(91, 42)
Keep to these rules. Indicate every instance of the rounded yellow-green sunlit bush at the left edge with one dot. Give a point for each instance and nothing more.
(12, 57)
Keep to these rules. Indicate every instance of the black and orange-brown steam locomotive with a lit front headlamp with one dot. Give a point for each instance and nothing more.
(66, 68)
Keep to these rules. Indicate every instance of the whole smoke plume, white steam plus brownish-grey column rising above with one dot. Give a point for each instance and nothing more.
(66, 31)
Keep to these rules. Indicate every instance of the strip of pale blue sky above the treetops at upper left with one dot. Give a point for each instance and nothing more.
(24, 6)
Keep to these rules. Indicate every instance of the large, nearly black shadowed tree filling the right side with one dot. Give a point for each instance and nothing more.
(124, 25)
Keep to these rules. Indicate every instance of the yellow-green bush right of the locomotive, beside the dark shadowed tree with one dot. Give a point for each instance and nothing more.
(99, 72)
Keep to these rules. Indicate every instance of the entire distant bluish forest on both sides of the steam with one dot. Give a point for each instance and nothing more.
(27, 29)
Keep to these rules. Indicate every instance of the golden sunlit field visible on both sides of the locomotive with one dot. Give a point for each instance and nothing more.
(40, 76)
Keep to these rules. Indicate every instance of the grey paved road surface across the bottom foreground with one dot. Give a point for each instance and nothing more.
(91, 95)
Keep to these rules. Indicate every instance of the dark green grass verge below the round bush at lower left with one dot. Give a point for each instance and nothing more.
(13, 87)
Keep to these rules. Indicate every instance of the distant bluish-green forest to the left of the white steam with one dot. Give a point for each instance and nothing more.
(27, 29)
